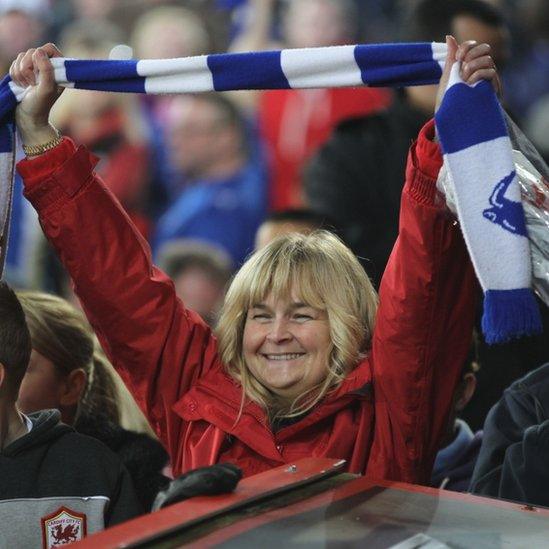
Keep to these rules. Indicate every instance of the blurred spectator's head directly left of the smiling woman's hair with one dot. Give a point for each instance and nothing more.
(200, 273)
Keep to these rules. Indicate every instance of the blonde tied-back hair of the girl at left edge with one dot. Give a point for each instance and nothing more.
(60, 333)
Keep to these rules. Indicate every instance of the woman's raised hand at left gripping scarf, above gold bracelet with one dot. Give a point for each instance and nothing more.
(33, 69)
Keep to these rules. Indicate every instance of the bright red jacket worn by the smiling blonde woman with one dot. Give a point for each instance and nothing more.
(386, 418)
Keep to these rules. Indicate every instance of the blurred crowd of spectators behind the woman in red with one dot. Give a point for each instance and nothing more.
(209, 178)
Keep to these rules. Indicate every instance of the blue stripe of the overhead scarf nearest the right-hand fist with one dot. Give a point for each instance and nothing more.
(397, 64)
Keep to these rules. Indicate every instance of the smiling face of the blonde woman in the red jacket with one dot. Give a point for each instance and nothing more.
(287, 345)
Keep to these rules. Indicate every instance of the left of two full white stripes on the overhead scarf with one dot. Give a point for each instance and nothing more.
(189, 74)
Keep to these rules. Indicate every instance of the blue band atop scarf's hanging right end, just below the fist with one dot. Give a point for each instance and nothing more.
(479, 107)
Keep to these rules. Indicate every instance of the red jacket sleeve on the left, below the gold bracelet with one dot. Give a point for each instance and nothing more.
(158, 346)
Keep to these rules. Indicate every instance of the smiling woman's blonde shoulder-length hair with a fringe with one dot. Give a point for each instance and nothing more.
(323, 273)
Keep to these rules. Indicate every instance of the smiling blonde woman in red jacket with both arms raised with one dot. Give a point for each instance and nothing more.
(299, 366)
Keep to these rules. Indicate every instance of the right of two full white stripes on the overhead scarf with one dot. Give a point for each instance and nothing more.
(321, 67)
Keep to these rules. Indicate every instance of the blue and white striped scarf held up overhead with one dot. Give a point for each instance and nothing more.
(470, 126)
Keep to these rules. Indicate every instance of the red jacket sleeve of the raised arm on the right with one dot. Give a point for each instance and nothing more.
(424, 325)
